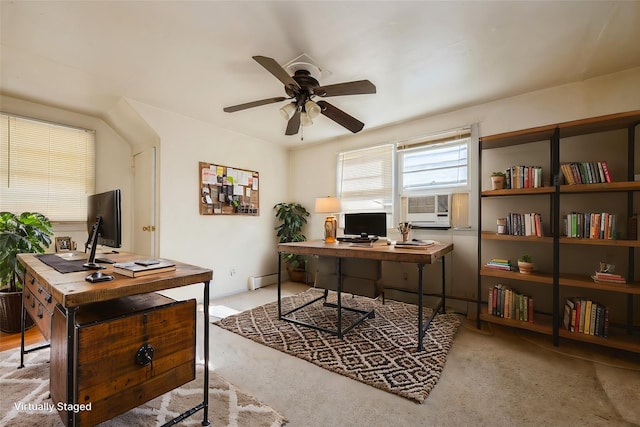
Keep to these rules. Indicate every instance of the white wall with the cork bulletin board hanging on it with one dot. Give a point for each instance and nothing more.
(236, 247)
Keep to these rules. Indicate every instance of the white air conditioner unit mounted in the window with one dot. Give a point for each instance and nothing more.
(429, 211)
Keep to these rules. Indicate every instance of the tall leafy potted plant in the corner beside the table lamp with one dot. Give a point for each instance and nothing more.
(293, 216)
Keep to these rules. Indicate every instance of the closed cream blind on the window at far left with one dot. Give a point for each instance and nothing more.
(46, 168)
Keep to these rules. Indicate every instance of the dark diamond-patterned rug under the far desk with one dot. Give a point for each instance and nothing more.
(381, 352)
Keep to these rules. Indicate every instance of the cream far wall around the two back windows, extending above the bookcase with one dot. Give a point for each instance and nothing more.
(605, 95)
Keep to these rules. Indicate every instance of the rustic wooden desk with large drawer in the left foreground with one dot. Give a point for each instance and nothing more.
(95, 329)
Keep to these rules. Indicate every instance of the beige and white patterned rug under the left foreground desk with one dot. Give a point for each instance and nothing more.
(25, 400)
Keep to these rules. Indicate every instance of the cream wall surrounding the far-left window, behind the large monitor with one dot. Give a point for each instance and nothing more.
(113, 165)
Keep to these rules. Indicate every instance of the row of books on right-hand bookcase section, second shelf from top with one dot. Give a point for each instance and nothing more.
(591, 225)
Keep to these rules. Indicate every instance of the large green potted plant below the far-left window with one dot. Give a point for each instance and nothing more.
(25, 233)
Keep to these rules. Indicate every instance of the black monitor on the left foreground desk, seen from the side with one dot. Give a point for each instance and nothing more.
(104, 223)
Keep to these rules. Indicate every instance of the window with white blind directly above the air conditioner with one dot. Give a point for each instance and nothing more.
(434, 163)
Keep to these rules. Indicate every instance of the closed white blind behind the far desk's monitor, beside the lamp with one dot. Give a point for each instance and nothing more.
(365, 179)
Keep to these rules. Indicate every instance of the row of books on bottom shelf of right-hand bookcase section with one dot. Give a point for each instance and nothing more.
(584, 316)
